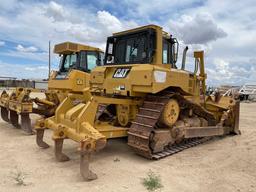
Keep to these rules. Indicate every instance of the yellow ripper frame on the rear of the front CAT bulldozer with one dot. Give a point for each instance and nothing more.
(77, 120)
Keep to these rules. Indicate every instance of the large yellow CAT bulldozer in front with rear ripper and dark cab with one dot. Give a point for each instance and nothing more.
(141, 94)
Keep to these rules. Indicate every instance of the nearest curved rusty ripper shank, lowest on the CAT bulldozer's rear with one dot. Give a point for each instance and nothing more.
(86, 173)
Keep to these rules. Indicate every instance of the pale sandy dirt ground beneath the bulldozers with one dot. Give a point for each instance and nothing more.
(227, 164)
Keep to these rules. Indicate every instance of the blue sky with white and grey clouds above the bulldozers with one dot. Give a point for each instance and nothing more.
(226, 30)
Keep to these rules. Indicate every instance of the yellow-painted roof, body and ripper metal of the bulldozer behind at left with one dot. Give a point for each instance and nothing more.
(73, 81)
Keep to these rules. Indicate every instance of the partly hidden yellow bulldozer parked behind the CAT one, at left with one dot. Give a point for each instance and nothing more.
(76, 62)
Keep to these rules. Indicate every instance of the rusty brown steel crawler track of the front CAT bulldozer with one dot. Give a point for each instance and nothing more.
(142, 128)
